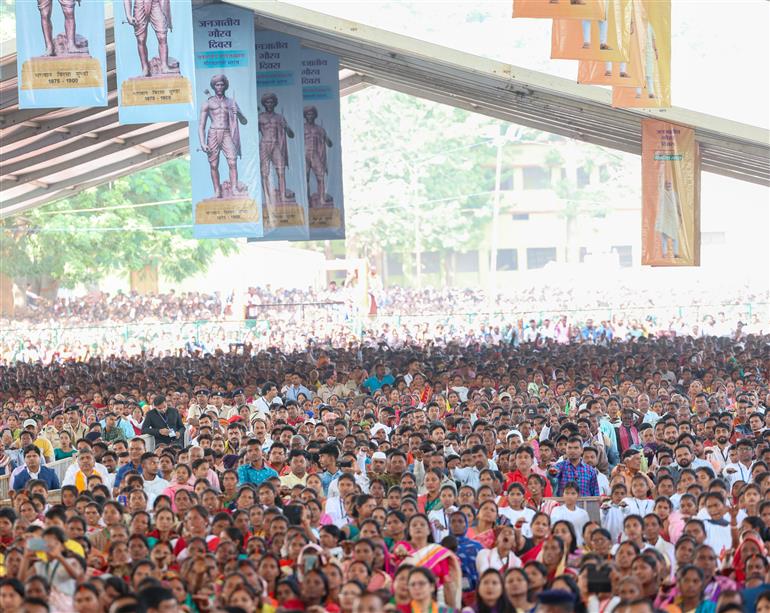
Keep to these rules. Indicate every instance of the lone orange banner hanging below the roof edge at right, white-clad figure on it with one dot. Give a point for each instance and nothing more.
(670, 195)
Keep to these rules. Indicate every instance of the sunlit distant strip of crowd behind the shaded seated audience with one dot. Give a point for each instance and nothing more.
(129, 324)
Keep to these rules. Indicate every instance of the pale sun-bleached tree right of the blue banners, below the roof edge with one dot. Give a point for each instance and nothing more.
(419, 174)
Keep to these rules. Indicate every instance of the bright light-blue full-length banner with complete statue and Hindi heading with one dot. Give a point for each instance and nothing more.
(224, 140)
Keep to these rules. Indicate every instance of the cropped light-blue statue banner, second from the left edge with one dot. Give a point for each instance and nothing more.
(155, 60)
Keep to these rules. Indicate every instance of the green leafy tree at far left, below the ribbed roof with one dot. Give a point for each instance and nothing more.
(108, 230)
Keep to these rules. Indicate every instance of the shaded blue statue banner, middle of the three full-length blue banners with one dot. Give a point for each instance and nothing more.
(281, 143)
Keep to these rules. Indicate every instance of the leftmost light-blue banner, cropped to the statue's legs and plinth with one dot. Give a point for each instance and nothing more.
(61, 56)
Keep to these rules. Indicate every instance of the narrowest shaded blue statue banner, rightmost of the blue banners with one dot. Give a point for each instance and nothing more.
(323, 154)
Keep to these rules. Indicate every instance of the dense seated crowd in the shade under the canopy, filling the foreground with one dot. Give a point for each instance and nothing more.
(486, 472)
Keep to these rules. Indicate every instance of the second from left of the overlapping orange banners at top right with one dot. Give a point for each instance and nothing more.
(606, 40)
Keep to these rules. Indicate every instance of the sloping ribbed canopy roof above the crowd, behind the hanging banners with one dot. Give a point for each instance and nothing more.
(47, 154)
